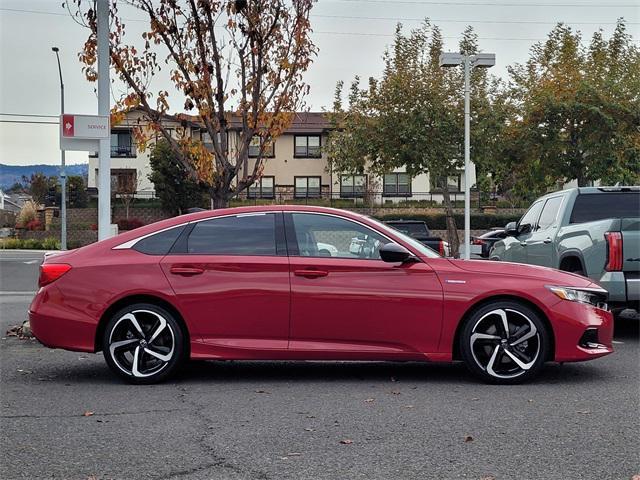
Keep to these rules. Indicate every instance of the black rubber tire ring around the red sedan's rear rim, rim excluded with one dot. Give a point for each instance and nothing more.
(179, 346)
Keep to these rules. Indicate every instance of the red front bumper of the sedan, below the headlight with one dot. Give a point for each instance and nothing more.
(570, 322)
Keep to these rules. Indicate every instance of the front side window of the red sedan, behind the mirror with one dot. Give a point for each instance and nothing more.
(327, 236)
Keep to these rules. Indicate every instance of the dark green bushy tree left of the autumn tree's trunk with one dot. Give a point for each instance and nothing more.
(175, 189)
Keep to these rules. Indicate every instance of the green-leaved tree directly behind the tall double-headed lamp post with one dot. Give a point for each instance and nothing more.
(412, 116)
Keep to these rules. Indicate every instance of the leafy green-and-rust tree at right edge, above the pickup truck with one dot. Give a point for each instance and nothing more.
(579, 110)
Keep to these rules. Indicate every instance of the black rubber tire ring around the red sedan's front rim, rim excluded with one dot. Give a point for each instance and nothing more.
(478, 371)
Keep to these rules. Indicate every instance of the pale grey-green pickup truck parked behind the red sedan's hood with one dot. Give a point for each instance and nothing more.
(593, 232)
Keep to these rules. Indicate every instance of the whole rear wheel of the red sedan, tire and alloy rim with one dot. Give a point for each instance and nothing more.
(143, 343)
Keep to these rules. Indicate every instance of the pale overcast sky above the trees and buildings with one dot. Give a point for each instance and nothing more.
(351, 36)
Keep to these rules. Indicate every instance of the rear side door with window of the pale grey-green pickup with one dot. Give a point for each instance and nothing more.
(540, 244)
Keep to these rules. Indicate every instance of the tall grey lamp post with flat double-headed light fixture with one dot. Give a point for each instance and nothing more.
(479, 60)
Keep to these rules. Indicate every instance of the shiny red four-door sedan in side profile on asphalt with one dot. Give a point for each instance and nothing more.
(307, 283)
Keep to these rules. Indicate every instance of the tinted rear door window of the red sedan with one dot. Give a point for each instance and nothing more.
(253, 234)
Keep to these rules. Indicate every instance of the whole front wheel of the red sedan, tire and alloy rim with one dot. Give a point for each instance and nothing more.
(496, 357)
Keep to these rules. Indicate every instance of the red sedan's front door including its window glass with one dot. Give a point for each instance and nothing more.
(346, 301)
